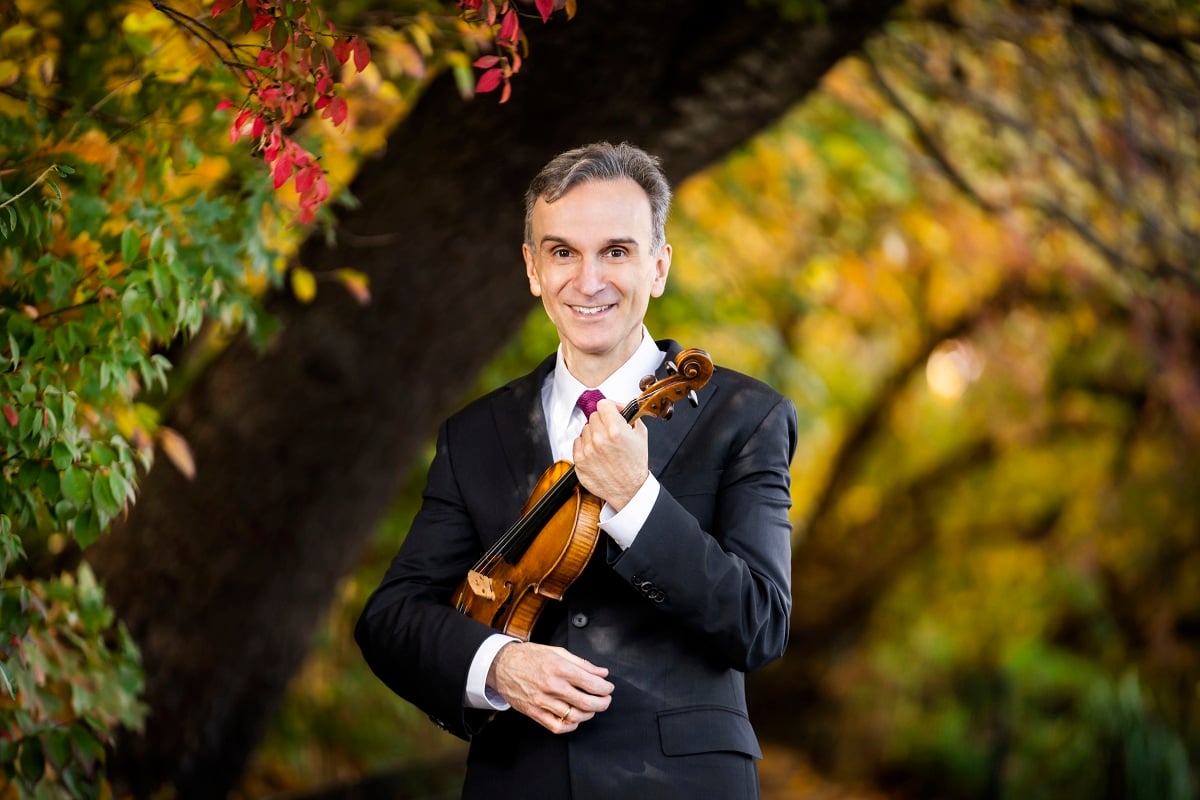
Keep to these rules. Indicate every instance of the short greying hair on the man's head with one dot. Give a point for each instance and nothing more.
(604, 163)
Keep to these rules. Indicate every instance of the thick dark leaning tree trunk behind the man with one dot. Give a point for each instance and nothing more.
(301, 449)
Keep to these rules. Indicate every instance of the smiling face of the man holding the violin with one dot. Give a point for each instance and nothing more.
(592, 266)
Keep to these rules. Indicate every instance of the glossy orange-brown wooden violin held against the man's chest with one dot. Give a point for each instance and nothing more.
(545, 551)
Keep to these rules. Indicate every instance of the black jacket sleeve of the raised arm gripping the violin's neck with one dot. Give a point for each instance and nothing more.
(729, 578)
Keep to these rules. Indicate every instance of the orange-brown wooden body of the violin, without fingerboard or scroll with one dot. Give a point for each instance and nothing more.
(512, 597)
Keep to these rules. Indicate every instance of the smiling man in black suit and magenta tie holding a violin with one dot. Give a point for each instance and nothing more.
(633, 685)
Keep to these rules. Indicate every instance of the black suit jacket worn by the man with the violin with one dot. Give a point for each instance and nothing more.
(700, 598)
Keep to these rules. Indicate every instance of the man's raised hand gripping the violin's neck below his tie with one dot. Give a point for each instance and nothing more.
(611, 456)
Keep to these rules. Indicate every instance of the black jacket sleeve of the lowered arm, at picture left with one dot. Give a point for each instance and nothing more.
(411, 637)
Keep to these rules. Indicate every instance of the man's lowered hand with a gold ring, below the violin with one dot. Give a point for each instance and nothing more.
(553, 687)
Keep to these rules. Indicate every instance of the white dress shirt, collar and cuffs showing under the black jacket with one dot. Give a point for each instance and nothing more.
(565, 422)
